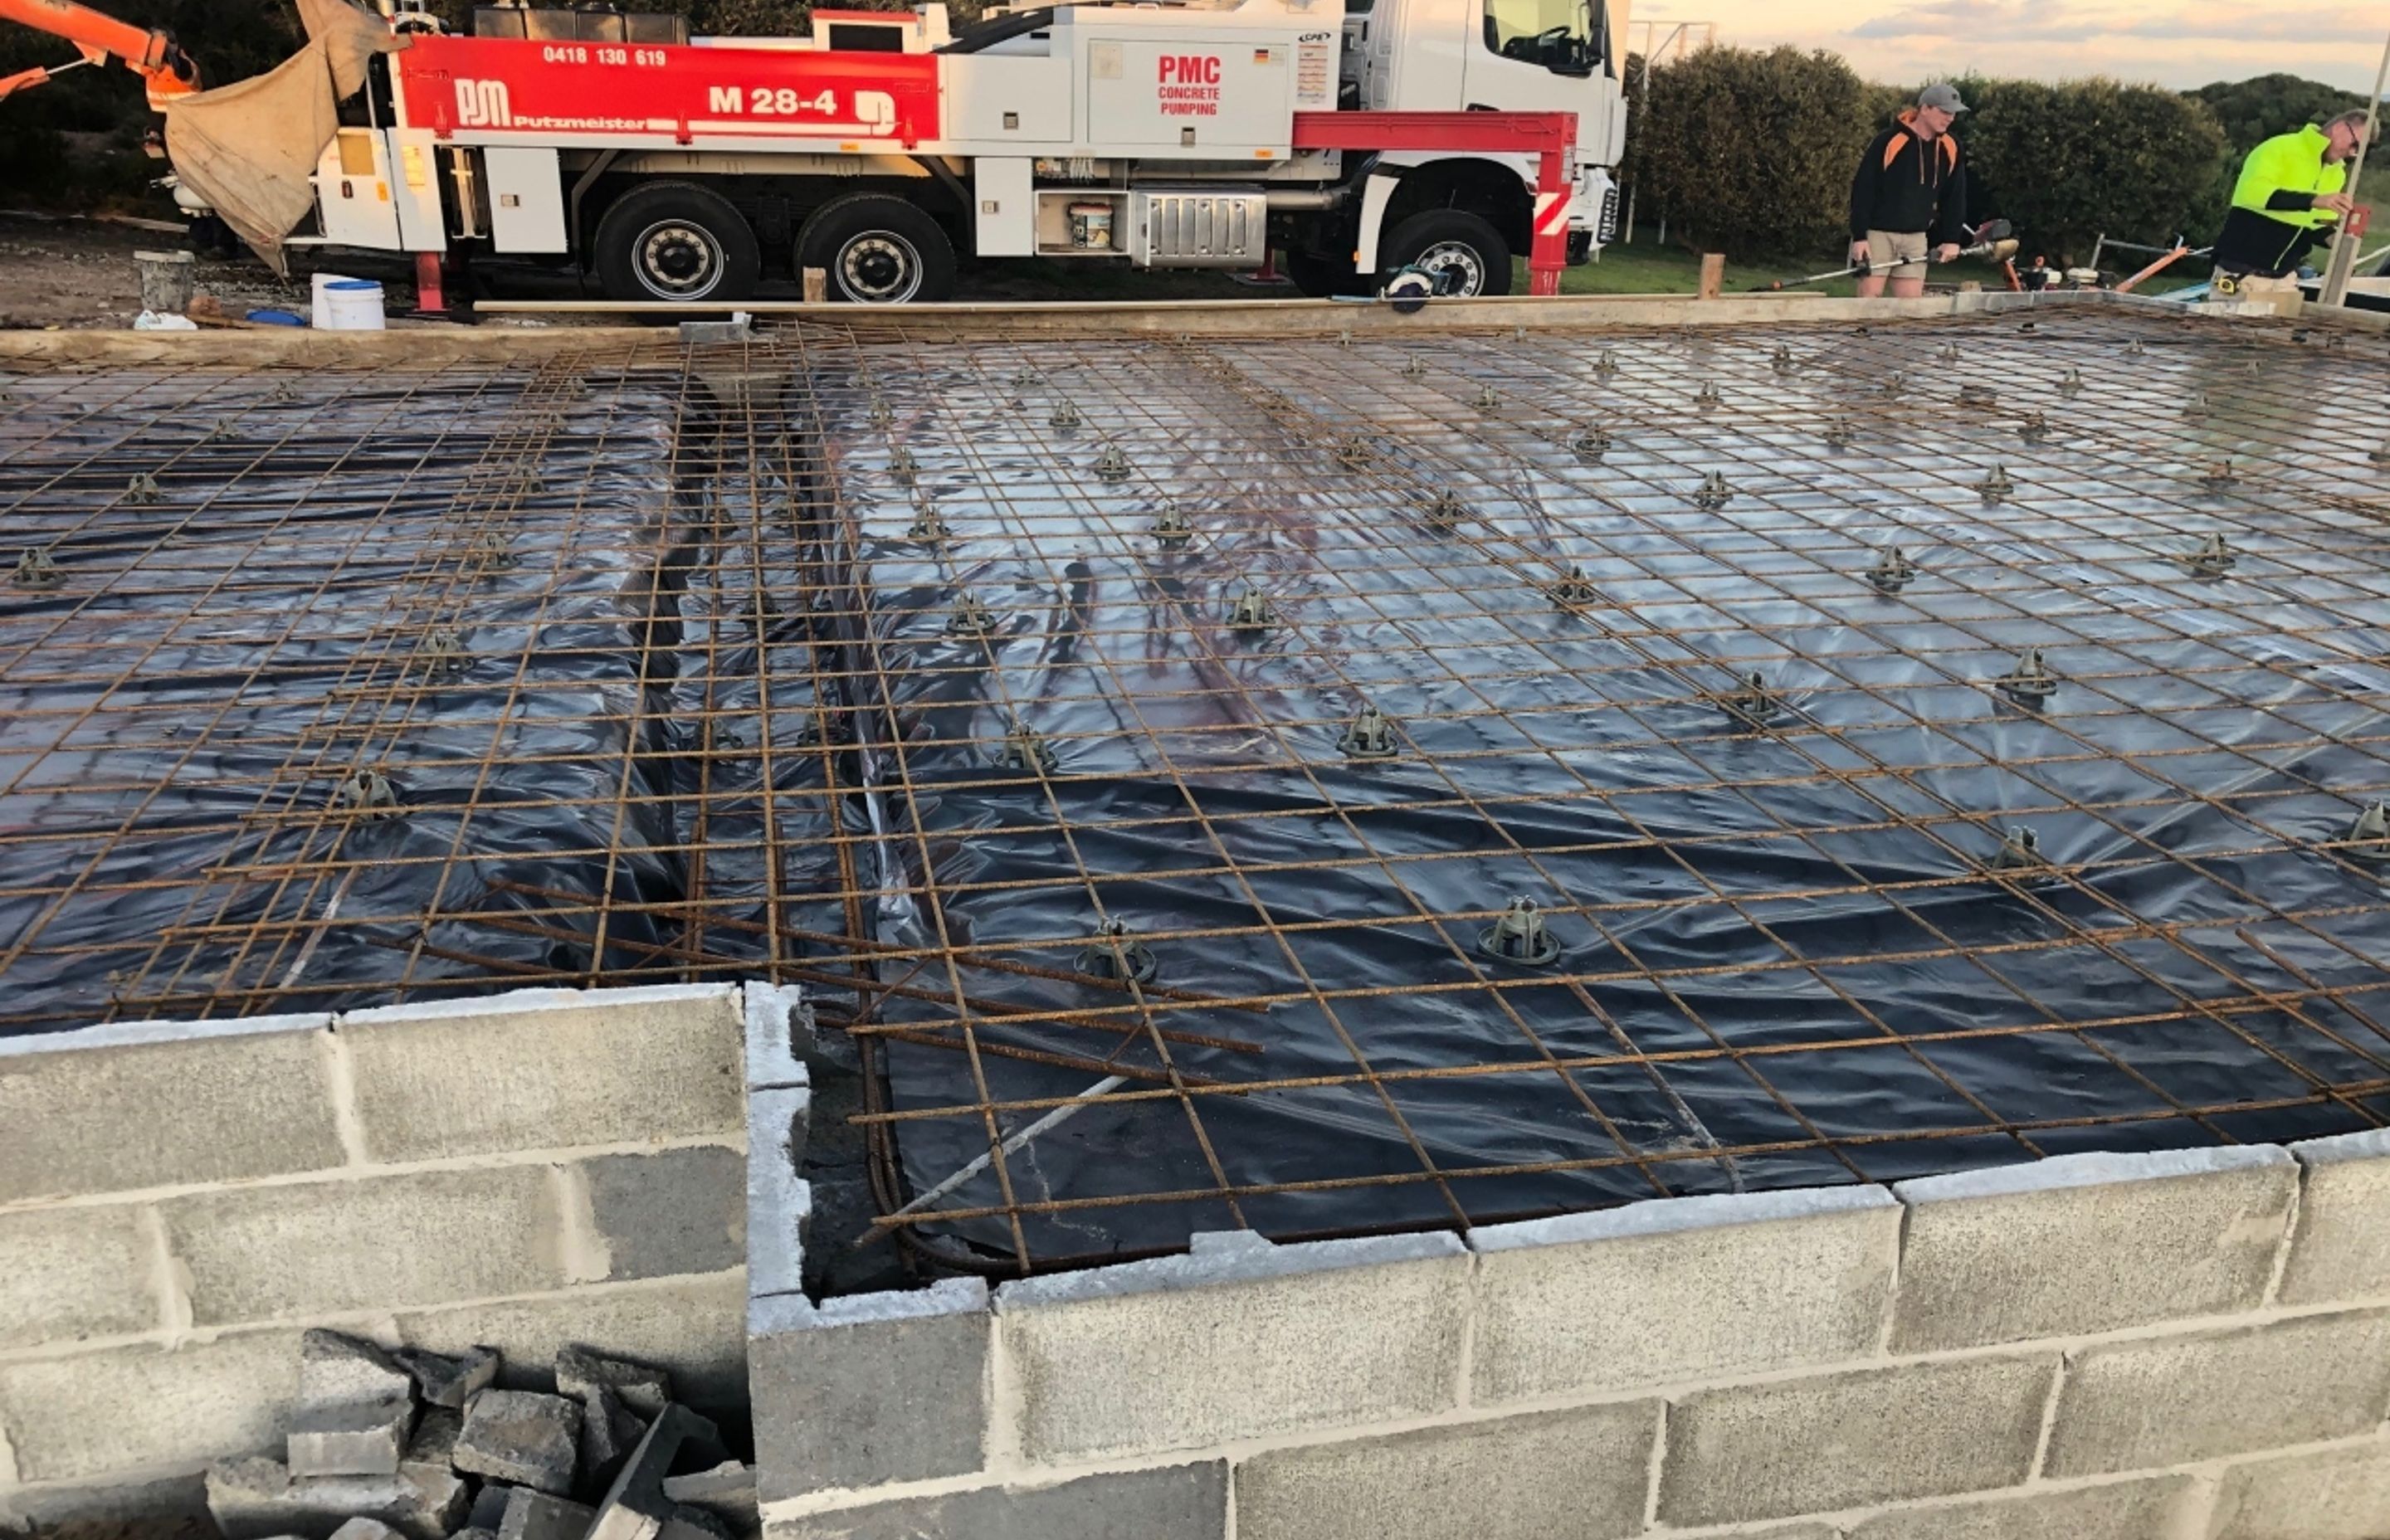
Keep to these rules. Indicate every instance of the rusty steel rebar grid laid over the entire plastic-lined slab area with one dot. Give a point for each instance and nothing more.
(905, 666)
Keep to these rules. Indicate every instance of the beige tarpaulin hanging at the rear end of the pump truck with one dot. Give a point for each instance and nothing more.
(250, 149)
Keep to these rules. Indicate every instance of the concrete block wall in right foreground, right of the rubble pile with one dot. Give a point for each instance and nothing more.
(2092, 1347)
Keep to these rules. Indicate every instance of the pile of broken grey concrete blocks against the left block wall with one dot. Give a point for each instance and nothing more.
(410, 1446)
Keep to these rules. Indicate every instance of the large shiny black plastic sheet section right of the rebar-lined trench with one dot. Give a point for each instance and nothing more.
(1846, 884)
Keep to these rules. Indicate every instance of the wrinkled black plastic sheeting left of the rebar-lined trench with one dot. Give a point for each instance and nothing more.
(262, 616)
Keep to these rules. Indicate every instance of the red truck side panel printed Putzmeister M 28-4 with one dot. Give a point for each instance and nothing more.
(694, 94)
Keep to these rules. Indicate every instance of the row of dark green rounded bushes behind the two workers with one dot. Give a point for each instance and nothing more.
(1751, 152)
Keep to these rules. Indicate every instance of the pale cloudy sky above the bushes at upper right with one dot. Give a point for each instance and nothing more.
(2169, 42)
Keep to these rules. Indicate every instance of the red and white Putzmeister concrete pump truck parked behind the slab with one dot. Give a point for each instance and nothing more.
(1356, 142)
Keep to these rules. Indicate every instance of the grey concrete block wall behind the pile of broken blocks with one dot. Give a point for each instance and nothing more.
(178, 1202)
